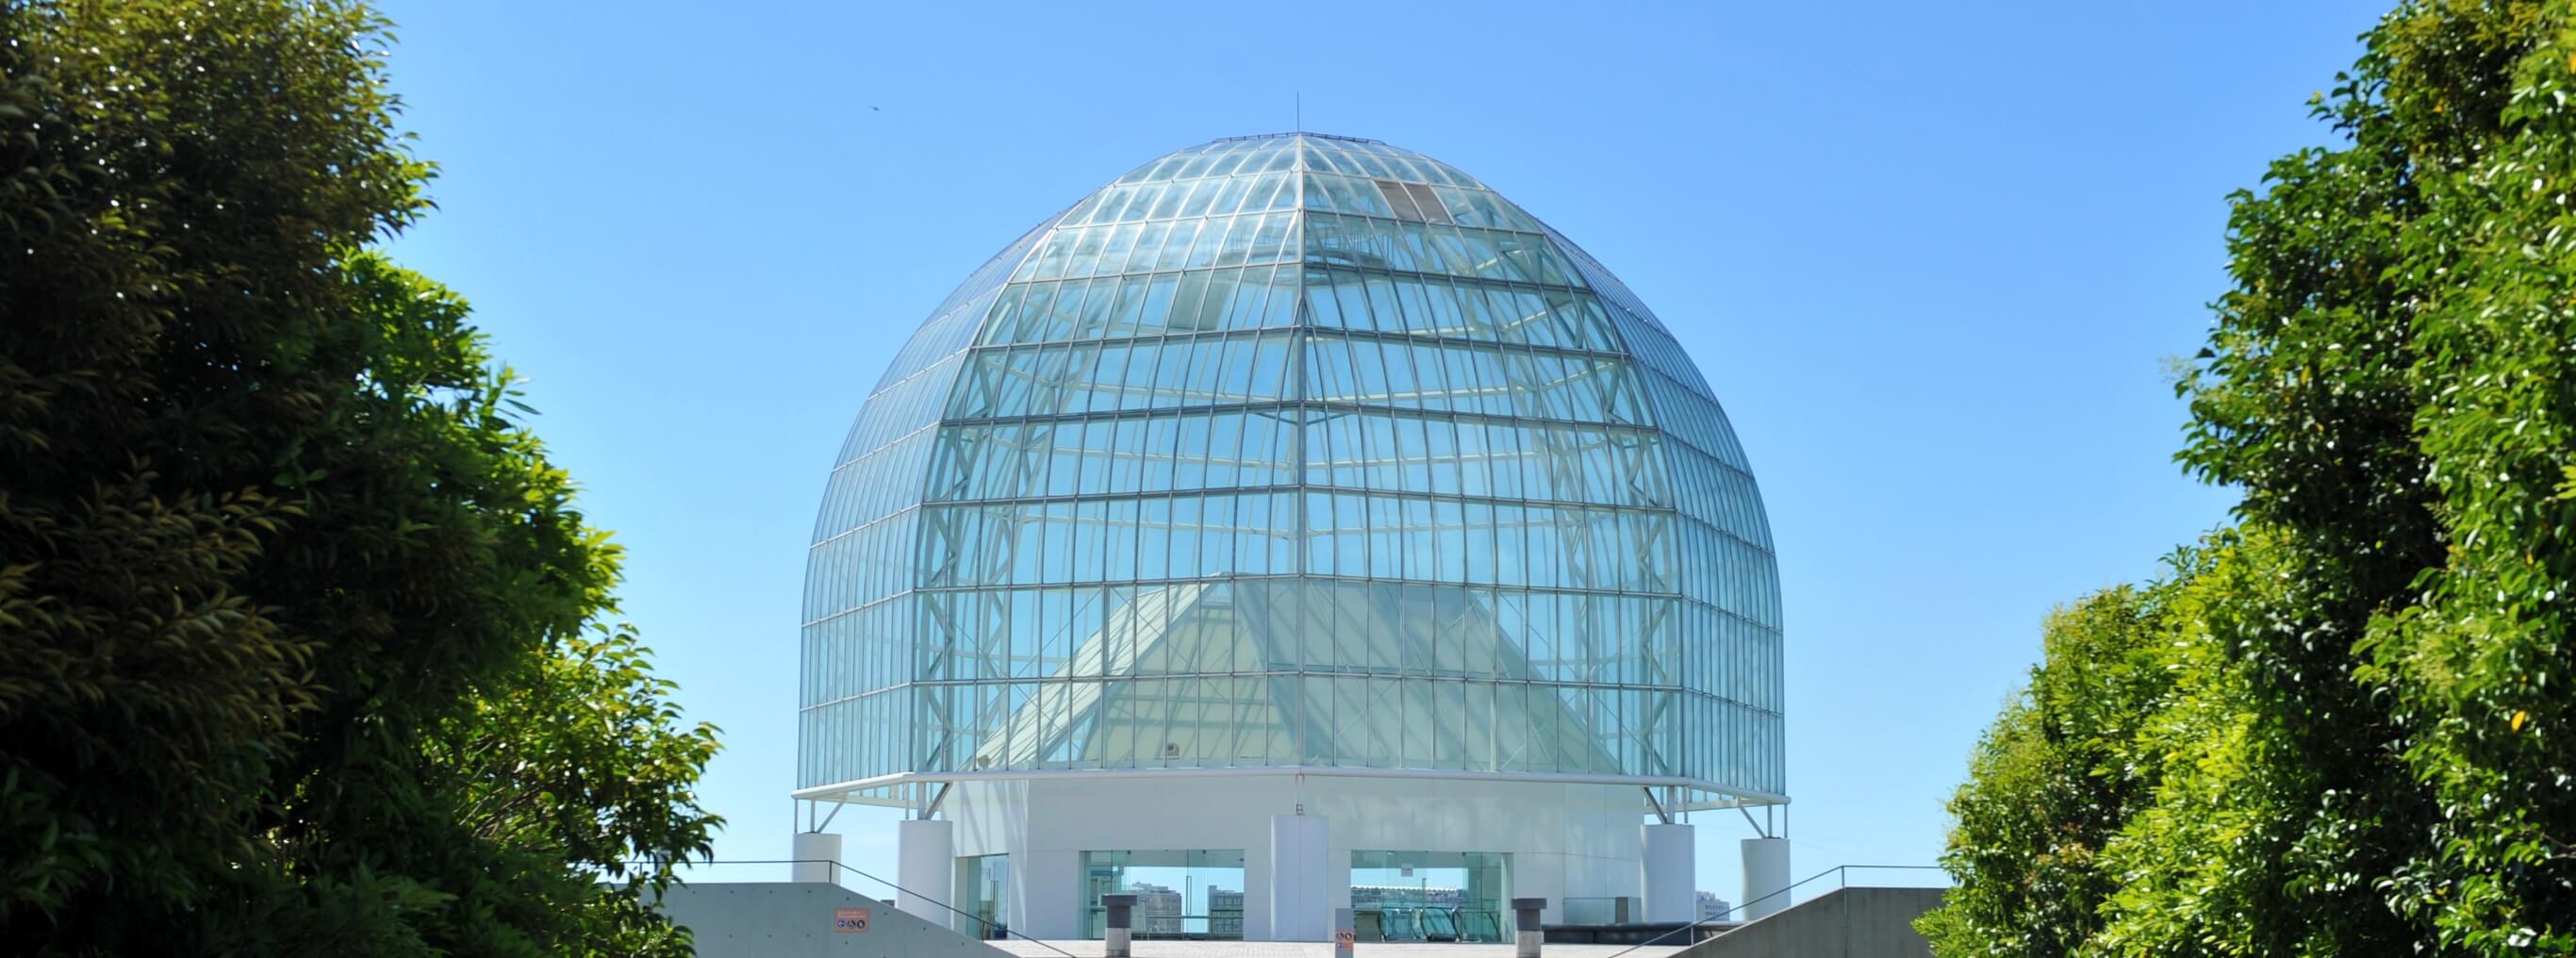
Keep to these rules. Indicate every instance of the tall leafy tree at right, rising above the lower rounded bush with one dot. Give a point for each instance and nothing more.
(2389, 382)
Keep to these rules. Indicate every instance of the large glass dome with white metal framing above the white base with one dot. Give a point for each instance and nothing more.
(1292, 452)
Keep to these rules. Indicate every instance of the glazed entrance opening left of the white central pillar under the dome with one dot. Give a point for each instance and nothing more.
(1179, 892)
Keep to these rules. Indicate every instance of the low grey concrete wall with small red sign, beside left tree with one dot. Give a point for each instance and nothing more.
(797, 921)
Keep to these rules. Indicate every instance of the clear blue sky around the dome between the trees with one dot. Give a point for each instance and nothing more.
(1931, 259)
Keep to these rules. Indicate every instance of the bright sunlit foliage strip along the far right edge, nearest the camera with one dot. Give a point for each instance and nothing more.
(2479, 648)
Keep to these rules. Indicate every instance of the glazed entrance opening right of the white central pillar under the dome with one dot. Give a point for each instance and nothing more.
(1428, 897)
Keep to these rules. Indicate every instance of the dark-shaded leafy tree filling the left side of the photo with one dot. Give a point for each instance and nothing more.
(300, 632)
